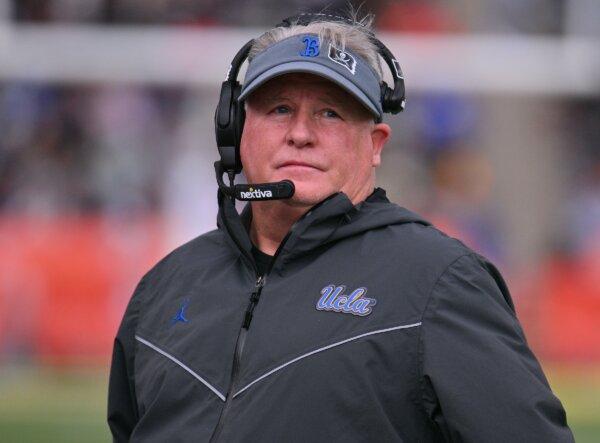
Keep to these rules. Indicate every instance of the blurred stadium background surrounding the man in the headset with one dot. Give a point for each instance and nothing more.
(107, 145)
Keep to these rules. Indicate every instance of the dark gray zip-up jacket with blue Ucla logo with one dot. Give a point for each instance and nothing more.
(371, 325)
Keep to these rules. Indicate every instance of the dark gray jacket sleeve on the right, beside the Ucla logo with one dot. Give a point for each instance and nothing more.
(480, 380)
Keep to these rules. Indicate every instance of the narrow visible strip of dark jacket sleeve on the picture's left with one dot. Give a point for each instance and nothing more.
(122, 405)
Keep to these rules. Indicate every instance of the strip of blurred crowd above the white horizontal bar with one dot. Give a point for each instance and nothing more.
(510, 16)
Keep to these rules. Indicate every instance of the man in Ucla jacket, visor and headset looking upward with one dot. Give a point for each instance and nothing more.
(330, 314)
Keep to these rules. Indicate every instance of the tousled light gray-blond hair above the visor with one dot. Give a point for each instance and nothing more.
(355, 36)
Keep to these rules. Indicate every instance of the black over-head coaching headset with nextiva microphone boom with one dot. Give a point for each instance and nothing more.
(230, 114)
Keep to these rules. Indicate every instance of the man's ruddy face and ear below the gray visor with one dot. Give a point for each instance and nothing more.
(306, 129)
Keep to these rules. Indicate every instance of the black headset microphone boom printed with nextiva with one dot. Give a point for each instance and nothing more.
(254, 192)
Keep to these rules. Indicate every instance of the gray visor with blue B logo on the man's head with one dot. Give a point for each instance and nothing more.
(306, 53)
